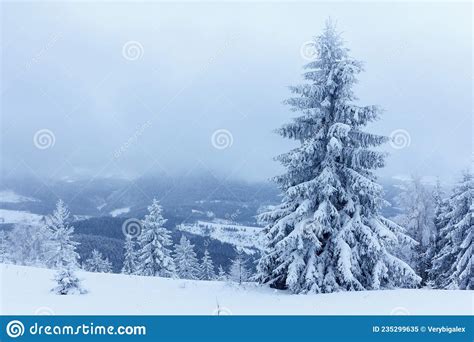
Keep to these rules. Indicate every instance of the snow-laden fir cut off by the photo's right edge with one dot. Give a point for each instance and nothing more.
(452, 266)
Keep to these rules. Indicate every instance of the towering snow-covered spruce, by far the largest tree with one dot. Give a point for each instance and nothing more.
(327, 234)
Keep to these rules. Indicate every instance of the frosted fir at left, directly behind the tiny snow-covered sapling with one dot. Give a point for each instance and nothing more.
(62, 250)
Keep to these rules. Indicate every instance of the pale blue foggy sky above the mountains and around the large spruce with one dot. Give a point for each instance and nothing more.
(205, 67)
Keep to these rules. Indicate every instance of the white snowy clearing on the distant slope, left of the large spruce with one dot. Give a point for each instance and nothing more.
(246, 237)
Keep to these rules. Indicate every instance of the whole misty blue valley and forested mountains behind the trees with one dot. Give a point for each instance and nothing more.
(99, 208)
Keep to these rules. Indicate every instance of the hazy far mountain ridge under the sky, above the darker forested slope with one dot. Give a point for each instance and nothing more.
(197, 196)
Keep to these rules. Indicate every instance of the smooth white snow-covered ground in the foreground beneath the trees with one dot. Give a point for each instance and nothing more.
(25, 290)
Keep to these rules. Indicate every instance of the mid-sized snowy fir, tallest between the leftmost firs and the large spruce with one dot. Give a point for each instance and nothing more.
(154, 254)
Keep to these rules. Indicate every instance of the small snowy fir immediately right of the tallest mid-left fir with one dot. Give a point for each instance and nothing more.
(185, 259)
